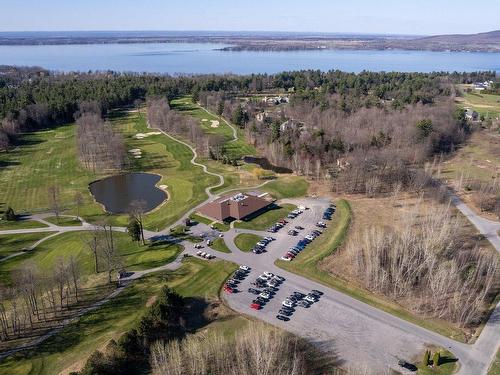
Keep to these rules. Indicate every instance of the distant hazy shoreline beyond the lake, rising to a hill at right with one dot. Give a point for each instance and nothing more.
(235, 42)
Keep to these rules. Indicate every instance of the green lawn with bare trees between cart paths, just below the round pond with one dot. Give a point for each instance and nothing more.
(133, 256)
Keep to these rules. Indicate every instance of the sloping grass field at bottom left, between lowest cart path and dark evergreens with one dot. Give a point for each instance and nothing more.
(68, 350)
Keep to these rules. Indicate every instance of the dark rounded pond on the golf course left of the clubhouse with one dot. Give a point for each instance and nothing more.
(116, 193)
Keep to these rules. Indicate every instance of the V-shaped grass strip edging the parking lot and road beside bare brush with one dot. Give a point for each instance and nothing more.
(307, 265)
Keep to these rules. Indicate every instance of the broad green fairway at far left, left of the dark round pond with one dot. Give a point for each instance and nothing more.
(45, 158)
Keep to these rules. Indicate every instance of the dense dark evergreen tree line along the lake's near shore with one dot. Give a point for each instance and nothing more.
(32, 98)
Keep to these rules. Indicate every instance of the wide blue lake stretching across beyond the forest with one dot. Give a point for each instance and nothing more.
(185, 58)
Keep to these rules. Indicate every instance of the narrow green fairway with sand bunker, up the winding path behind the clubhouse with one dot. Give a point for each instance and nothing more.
(236, 149)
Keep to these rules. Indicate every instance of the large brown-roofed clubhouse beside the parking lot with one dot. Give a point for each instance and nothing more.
(237, 206)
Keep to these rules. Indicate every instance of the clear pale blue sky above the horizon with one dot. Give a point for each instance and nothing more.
(421, 17)
